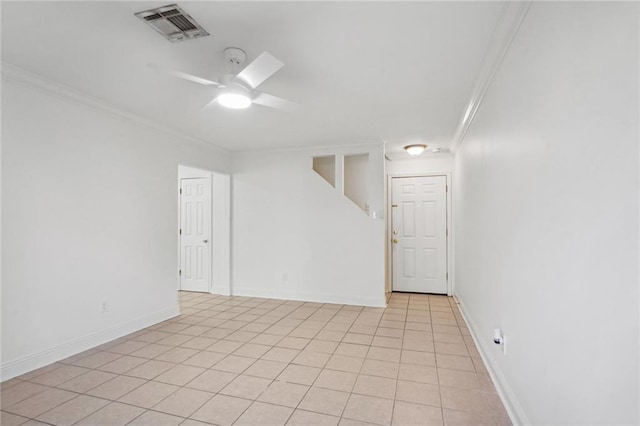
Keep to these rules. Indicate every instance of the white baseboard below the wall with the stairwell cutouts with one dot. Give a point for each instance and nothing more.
(377, 302)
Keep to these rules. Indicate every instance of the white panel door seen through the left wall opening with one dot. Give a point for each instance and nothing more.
(195, 232)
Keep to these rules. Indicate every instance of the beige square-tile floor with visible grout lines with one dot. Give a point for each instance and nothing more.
(250, 361)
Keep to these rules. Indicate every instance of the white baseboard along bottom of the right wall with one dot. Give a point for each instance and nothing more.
(506, 394)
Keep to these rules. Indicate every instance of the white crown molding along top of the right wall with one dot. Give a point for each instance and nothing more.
(511, 17)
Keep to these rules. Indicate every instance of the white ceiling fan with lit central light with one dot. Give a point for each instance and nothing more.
(237, 89)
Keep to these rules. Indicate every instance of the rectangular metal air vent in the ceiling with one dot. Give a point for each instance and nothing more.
(173, 23)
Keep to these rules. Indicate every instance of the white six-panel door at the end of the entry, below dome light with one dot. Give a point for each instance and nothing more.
(419, 218)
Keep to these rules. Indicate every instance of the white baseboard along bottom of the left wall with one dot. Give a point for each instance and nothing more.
(34, 361)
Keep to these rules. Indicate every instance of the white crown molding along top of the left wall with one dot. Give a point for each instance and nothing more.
(14, 74)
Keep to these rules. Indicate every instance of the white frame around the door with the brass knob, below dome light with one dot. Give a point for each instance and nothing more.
(449, 238)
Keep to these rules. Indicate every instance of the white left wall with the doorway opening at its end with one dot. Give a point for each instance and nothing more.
(90, 214)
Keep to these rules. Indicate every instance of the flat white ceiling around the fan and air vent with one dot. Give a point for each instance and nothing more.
(361, 71)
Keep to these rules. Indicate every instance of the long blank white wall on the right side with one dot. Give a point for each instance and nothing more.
(546, 201)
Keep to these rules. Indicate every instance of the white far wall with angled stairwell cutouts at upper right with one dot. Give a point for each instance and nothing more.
(287, 220)
